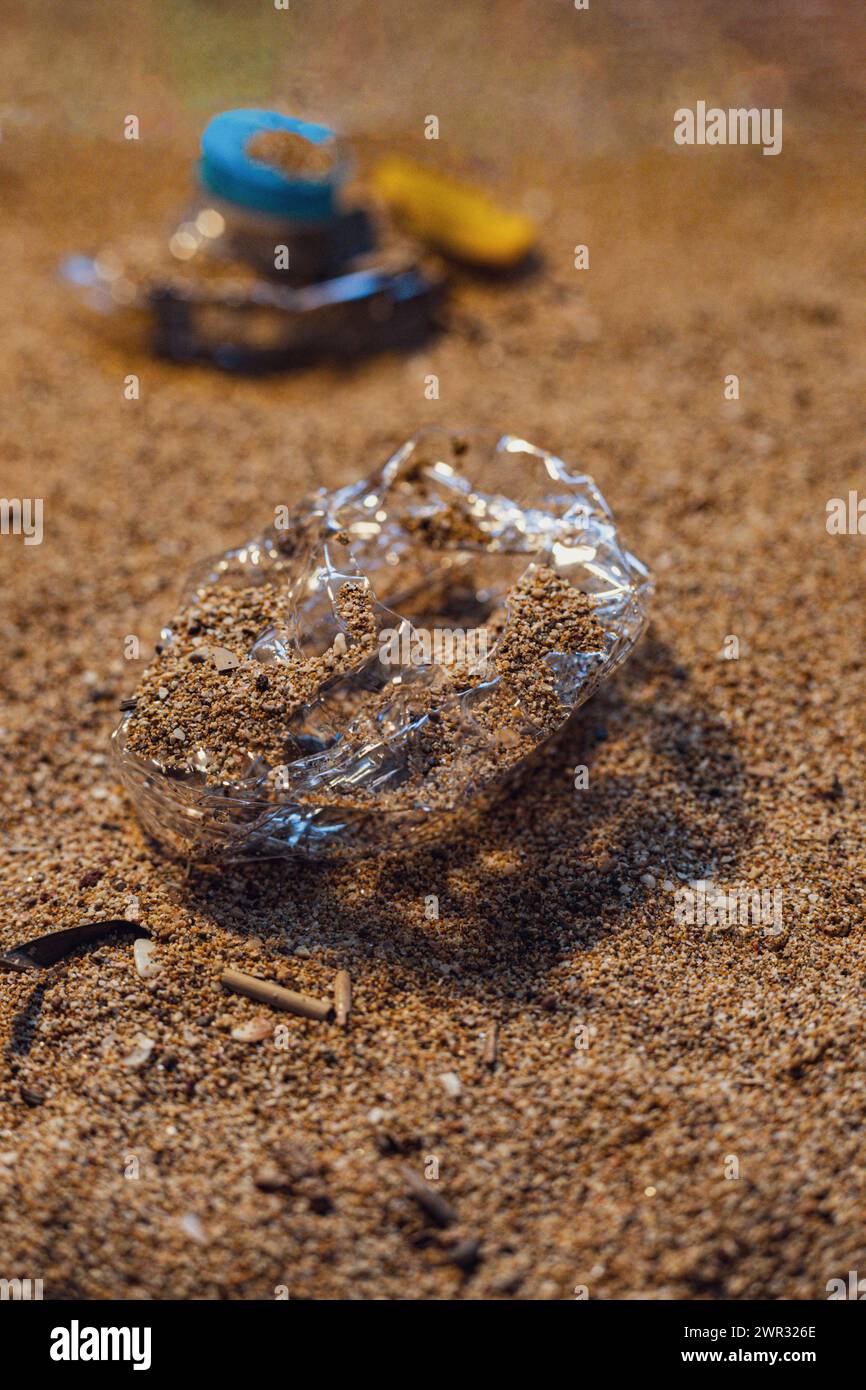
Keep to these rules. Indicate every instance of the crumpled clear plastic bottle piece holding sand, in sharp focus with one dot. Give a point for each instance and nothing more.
(432, 626)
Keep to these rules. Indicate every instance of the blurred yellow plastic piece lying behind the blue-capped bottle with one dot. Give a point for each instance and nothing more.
(455, 218)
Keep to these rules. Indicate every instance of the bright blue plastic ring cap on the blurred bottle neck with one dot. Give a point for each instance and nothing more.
(229, 172)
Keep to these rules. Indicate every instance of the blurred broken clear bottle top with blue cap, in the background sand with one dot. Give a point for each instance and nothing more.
(268, 269)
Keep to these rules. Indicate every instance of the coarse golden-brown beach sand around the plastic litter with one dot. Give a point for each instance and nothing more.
(678, 1110)
